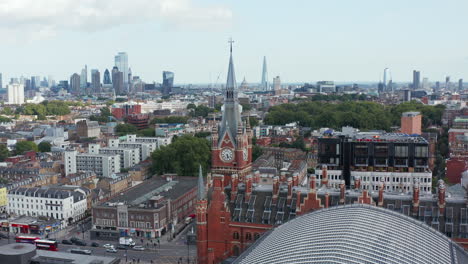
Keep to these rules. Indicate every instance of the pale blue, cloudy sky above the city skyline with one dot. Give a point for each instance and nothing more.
(304, 40)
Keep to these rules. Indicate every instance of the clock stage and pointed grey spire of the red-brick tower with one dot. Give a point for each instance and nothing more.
(231, 149)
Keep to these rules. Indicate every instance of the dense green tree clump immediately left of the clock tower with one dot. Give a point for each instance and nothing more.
(183, 156)
